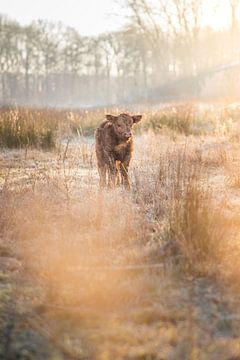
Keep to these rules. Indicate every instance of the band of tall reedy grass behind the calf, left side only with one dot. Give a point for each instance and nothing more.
(41, 128)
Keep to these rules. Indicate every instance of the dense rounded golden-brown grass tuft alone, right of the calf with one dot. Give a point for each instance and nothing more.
(196, 230)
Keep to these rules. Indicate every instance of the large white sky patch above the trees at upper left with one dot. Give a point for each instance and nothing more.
(88, 16)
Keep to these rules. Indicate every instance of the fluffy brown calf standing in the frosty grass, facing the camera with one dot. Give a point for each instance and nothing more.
(114, 147)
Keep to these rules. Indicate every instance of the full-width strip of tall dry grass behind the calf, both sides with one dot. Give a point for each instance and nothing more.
(43, 128)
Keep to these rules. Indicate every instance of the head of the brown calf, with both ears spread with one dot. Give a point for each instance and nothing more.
(122, 124)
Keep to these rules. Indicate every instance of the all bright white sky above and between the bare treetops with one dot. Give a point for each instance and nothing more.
(91, 17)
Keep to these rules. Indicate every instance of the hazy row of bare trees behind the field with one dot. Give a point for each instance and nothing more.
(49, 64)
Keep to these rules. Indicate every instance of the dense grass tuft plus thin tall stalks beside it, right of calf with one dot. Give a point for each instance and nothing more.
(191, 225)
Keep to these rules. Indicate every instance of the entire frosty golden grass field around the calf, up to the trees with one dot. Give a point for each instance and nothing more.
(149, 273)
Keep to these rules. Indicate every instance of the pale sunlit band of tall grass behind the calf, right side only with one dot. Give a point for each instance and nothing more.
(193, 119)
